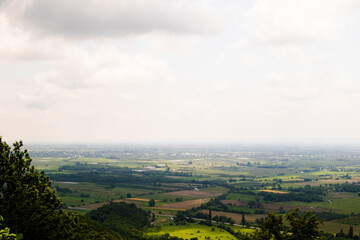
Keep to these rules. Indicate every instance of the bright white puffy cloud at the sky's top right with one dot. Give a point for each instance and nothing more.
(294, 22)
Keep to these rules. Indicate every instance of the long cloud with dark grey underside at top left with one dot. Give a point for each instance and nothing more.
(97, 18)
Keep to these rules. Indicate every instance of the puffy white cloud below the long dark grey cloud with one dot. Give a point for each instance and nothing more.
(106, 70)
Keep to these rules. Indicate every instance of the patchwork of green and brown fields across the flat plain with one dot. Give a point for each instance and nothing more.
(230, 185)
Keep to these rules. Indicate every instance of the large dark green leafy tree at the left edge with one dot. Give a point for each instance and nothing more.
(27, 202)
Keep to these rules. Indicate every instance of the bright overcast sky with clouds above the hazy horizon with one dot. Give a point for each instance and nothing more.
(180, 71)
